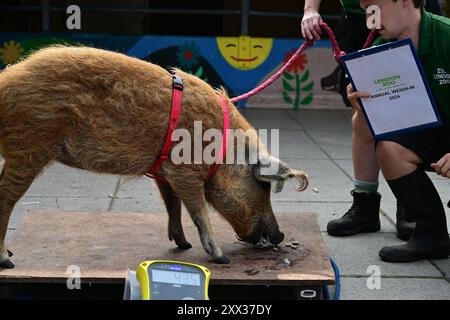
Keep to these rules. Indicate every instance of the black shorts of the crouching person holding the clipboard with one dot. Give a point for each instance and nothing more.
(429, 144)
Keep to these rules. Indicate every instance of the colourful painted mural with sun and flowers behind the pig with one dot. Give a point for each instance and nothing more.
(237, 63)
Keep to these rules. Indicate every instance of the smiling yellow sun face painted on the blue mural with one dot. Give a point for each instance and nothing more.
(244, 53)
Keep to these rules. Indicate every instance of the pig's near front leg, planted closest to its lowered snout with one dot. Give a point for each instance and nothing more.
(193, 196)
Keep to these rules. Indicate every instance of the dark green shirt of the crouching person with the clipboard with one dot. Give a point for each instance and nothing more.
(434, 54)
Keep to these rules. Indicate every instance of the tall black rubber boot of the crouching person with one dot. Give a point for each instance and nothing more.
(422, 203)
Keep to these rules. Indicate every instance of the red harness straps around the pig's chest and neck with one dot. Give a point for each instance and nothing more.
(177, 91)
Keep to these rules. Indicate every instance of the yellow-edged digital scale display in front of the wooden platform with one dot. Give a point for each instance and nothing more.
(172, 280)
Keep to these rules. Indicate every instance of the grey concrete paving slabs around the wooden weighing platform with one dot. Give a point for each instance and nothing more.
(318, 142)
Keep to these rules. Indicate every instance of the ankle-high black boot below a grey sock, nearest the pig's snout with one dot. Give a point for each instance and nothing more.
(363, 216)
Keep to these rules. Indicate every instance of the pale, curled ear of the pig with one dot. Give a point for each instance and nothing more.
(280, 175)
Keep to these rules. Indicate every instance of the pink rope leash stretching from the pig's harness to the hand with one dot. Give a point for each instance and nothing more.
(337, 56)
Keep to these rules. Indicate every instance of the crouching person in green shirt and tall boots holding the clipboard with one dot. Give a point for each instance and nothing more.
(405, 158)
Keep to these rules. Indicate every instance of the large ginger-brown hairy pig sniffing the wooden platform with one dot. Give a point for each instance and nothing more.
(106, 112)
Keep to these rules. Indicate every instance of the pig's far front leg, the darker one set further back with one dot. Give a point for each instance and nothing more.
(173, 206)
